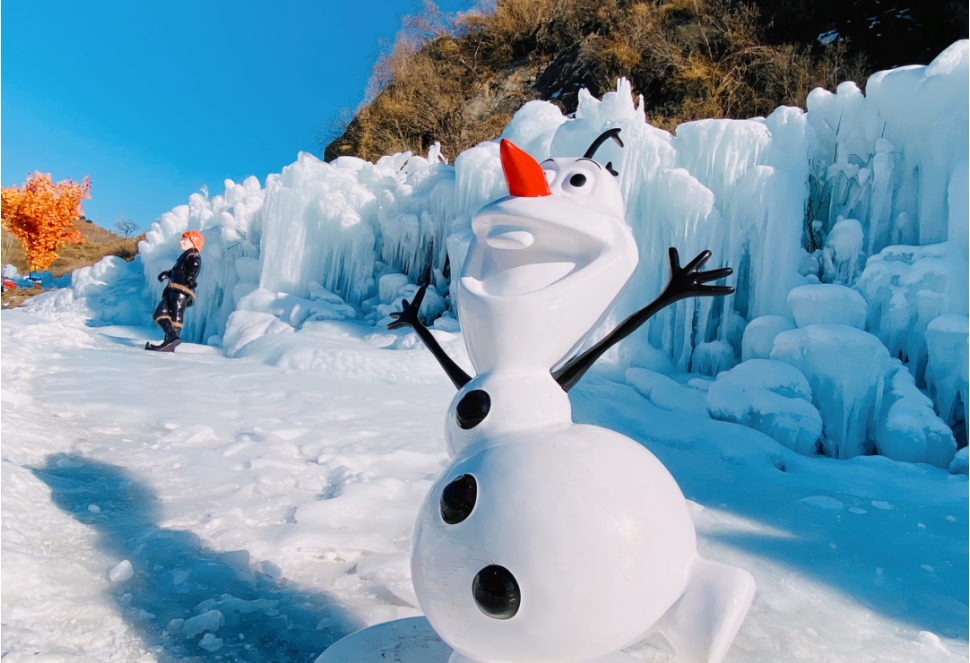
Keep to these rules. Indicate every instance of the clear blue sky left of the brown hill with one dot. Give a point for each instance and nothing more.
(153, 100)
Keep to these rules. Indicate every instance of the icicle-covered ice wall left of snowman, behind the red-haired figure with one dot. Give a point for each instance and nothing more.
(339, 226)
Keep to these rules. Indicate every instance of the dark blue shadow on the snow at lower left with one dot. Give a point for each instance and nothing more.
(177, 578)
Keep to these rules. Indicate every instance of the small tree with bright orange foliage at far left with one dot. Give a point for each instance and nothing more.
(42, 214)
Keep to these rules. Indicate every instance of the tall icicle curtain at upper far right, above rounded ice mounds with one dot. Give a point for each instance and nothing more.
(887, 157)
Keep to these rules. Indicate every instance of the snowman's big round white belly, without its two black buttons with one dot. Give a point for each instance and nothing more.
(591, 526)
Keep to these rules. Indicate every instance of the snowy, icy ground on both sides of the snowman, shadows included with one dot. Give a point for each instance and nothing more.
(191, 507)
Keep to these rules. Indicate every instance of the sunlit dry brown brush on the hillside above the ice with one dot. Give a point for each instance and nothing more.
(458, 80)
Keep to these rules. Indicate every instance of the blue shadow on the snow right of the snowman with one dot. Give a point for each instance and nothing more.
(882, 559)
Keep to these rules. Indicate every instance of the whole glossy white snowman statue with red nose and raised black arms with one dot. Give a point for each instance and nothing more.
(546, 540)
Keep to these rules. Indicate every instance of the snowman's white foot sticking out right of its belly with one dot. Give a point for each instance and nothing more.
(702, 624)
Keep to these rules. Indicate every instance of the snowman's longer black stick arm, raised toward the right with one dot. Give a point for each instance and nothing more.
(684, 282)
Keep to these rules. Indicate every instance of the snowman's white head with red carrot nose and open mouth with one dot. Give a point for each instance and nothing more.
(547, 261)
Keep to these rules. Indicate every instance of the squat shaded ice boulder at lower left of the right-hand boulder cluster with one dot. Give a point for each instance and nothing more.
(771, 397)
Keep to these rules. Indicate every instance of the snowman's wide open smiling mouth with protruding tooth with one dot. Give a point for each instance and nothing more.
(521, 258)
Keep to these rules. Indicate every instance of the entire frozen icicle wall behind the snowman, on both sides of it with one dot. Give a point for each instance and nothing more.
(852, 212)
